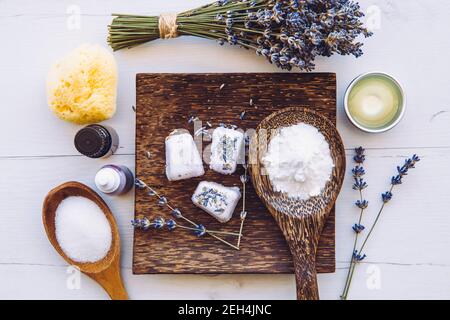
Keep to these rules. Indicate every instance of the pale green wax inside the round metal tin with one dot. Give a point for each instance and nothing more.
(375, 101)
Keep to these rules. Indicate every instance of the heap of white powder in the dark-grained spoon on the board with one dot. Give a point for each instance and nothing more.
(298, 161)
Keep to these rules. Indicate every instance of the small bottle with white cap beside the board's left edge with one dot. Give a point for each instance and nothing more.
(114, 179)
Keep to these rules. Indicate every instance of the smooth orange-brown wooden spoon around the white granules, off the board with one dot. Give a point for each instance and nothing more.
(105, 271)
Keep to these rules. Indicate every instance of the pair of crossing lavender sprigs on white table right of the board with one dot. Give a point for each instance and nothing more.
(358, 255)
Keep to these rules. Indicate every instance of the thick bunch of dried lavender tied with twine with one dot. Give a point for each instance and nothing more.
(289, 33)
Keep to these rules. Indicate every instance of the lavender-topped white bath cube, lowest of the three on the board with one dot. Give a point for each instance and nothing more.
(217, 200)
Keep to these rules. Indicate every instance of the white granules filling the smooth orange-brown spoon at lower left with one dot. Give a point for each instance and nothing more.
(82, 229)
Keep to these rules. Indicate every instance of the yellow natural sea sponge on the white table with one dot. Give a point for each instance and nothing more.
(82, 86)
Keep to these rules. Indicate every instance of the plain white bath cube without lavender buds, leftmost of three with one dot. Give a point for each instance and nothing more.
(183, 160)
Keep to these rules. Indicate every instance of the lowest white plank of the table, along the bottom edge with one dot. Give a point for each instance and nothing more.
(394, 282)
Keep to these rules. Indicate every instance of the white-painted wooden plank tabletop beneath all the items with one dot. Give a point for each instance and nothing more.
(409, 255)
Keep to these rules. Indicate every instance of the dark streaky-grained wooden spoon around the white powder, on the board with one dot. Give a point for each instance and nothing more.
(301, 221)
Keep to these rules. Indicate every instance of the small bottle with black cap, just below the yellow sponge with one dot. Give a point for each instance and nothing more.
(97, 141)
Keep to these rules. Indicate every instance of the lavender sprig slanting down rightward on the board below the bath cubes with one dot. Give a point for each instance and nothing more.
(176, 213)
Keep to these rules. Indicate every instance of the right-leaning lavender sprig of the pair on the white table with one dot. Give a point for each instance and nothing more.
(386, 197)
